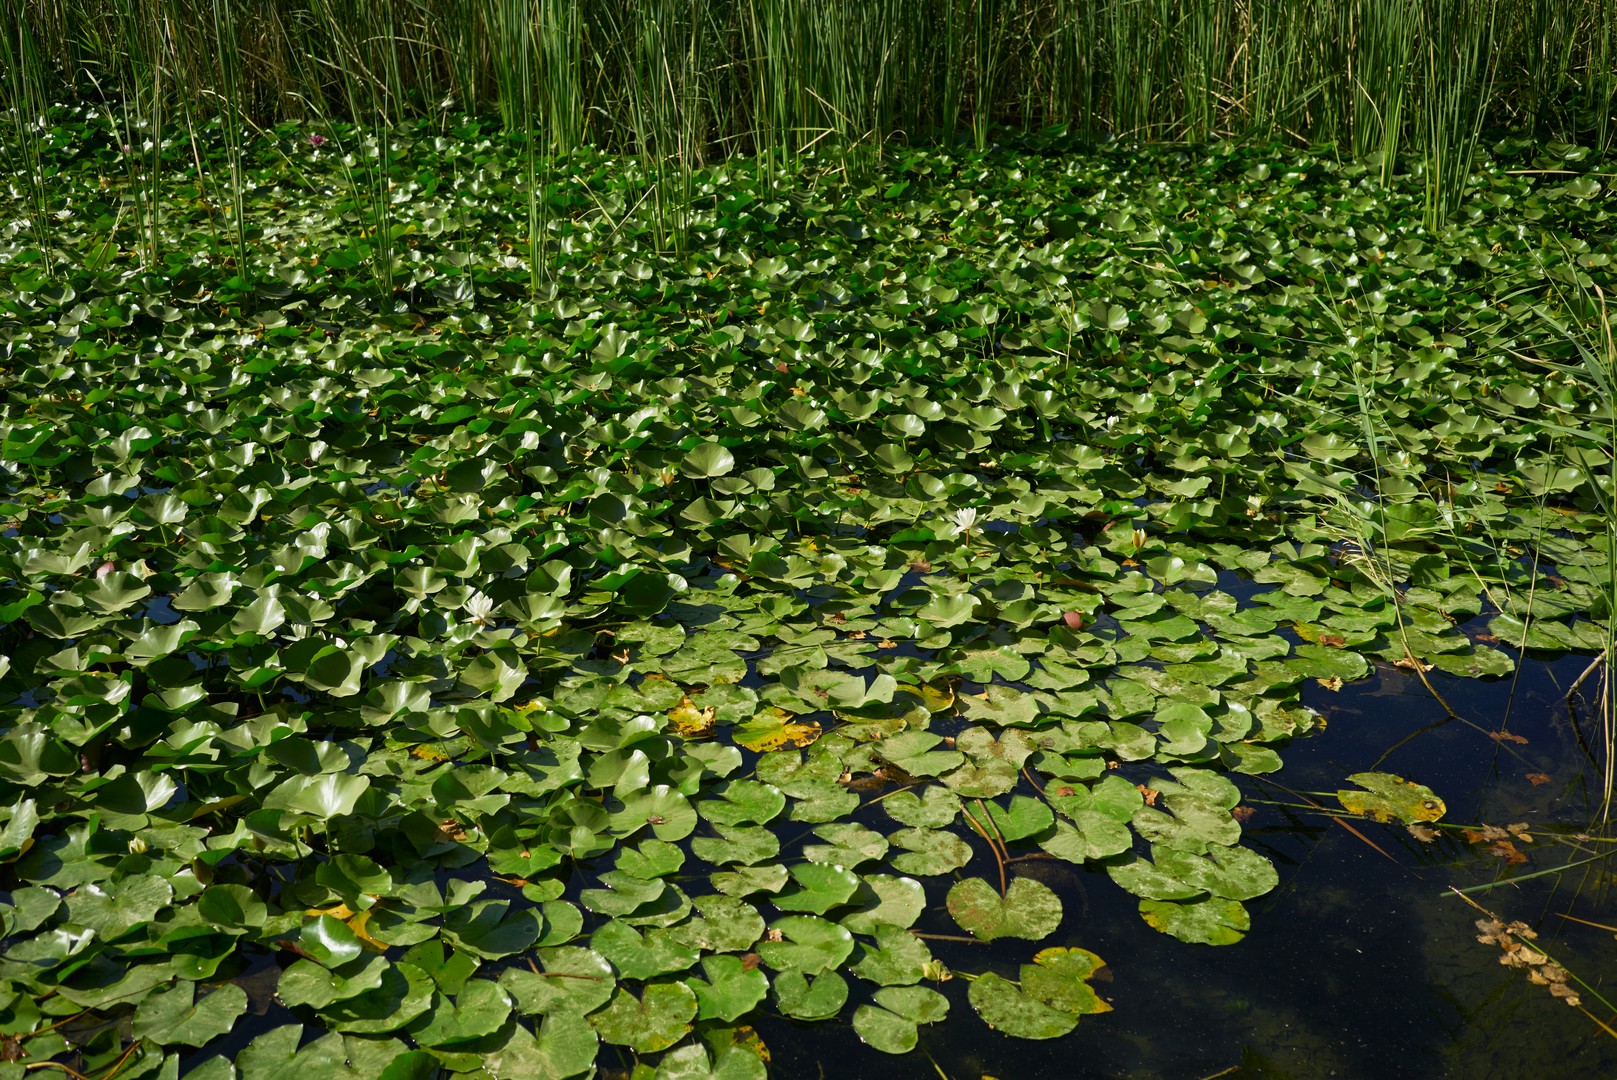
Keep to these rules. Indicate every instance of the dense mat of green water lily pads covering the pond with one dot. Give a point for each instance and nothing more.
(724, 628)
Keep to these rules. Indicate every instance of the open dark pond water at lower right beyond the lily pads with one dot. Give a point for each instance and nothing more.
(1359, 964)
